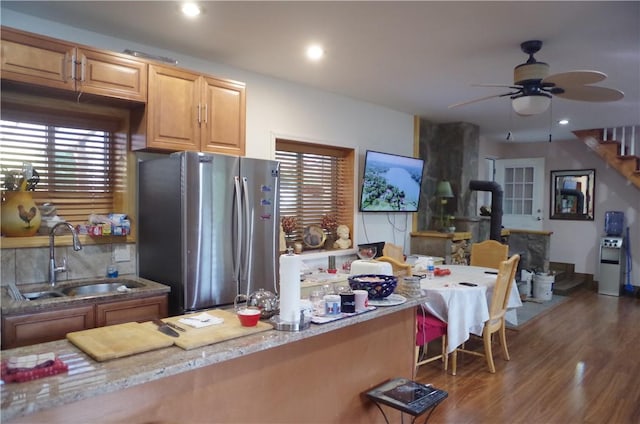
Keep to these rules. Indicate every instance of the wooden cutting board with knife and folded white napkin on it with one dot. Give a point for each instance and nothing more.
(197, 337)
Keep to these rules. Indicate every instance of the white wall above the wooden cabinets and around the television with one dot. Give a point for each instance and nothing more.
(279, 108)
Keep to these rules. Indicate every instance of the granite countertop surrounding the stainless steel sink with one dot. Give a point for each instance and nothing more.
(11, 306)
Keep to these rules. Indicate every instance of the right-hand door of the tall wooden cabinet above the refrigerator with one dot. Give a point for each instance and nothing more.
(223, 123)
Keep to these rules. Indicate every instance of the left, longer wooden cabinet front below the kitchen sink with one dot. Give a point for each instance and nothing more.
(28, 329)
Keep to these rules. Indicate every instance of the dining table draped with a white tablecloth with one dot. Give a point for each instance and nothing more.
(465, 308)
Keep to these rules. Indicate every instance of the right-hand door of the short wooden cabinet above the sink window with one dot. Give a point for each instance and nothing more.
(111, 74)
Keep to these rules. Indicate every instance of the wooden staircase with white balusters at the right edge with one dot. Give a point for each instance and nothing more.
(619, 147)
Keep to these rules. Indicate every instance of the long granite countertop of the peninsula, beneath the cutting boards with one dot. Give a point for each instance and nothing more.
(87, 378)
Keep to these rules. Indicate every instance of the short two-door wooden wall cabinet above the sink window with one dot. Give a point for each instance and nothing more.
(43, 61)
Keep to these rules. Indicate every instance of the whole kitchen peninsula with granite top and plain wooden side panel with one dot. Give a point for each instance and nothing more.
(317, 374)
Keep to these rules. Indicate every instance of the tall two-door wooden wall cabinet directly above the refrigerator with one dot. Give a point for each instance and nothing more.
(189, 111)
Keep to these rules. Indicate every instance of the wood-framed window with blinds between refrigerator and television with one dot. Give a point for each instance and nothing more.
(315, 180)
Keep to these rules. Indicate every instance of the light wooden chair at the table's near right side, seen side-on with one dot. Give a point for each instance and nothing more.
(497, 311)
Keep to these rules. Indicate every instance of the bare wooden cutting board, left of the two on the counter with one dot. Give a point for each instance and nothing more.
(117, 341)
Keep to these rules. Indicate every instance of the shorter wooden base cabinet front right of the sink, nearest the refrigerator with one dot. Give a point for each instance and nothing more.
(139, 310)
